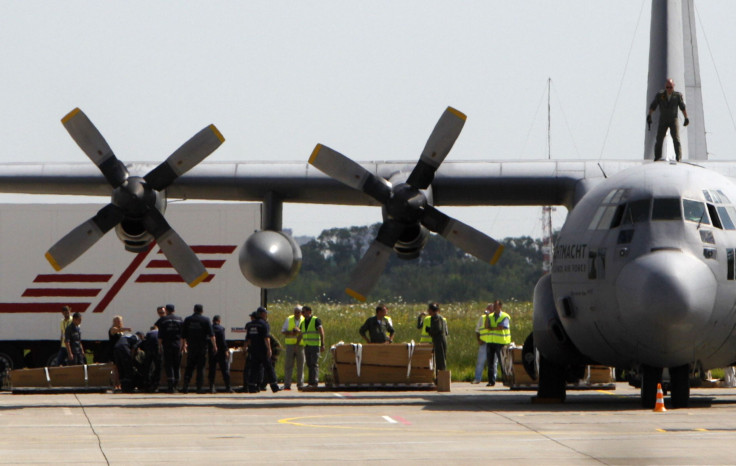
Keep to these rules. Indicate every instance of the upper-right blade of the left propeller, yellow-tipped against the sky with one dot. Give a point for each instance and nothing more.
(196, 149)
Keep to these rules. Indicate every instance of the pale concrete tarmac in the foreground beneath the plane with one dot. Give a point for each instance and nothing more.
(472, 424)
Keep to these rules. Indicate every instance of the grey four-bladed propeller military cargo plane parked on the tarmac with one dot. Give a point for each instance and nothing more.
(644, 274)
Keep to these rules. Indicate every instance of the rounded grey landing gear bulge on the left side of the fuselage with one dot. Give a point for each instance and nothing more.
(550, 337)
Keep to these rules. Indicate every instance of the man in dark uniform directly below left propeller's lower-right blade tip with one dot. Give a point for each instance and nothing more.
(197, 330)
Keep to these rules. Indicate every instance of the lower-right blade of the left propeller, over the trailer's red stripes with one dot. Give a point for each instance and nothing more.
(179, 254)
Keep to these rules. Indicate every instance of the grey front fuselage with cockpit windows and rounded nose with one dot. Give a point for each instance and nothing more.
(644, 269)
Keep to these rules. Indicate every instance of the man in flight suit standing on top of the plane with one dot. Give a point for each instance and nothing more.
(668, 102)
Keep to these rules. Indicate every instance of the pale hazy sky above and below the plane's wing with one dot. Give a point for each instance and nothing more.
(369, 79)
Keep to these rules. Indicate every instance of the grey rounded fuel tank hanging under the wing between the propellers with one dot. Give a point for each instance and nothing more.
(270, 259)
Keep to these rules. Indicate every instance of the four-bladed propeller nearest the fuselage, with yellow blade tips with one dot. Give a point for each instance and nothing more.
(406, 204)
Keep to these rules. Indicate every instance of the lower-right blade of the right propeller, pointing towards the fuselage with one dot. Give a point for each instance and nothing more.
(463, 236)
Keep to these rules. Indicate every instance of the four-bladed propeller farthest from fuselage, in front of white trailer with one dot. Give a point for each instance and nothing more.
(134, 197)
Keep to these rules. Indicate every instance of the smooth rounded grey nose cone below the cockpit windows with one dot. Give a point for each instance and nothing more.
(667, 295)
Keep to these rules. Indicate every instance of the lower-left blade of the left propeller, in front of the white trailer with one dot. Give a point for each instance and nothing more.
(81, 238)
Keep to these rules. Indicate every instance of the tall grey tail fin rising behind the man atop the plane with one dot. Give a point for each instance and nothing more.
(673, 53)
